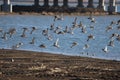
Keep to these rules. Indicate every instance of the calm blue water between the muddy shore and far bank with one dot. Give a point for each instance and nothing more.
(65, 40)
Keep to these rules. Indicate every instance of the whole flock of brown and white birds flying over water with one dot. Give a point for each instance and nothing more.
(5, 35)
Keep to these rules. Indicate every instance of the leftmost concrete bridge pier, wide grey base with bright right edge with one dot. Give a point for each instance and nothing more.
(6, 7)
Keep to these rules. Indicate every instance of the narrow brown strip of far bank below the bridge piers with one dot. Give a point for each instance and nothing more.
(58, 13)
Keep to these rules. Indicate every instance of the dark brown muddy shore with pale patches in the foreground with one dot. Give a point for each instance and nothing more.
(28, 65)
